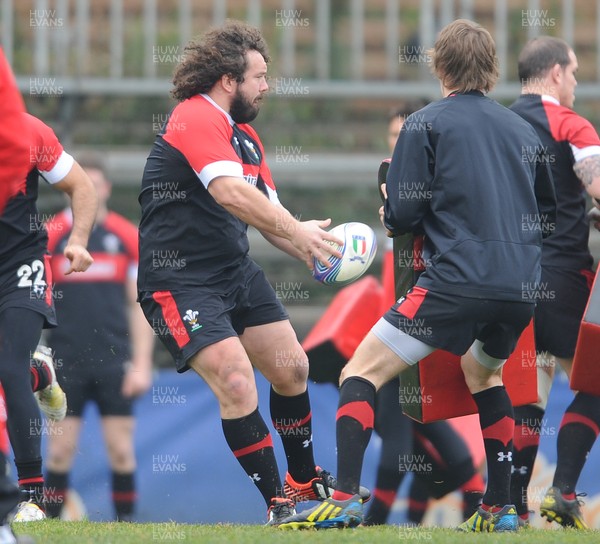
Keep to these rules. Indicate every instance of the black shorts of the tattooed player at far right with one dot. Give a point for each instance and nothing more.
(561, 303)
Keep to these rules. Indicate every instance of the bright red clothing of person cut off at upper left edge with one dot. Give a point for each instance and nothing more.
(14, 136)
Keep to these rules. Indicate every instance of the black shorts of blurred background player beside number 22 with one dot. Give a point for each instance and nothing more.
(99, 383)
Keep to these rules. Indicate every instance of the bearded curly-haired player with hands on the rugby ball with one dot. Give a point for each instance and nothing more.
(205, 180)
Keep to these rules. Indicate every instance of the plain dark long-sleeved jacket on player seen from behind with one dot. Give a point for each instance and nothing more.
(457, 175)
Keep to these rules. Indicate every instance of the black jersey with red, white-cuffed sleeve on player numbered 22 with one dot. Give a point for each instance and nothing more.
(22, 232)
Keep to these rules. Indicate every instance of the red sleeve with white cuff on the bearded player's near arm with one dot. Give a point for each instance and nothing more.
(203, 134)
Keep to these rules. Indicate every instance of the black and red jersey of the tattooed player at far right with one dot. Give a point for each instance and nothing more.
(567, 138)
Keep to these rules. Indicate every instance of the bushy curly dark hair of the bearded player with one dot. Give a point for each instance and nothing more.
(221, 51)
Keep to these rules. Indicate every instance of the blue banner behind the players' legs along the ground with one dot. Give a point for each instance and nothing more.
(186, 473)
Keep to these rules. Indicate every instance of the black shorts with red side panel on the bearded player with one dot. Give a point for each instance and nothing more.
(187, 320)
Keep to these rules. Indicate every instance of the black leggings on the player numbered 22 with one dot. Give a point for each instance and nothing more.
(20, 331)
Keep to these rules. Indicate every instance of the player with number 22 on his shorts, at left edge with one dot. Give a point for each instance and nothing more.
(26, 300)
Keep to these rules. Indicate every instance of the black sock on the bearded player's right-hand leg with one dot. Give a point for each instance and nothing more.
(292, 419)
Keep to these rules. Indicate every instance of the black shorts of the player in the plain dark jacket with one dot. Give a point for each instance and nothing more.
(453, 323)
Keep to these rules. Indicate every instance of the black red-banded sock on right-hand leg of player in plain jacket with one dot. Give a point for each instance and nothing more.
(497, 427)
